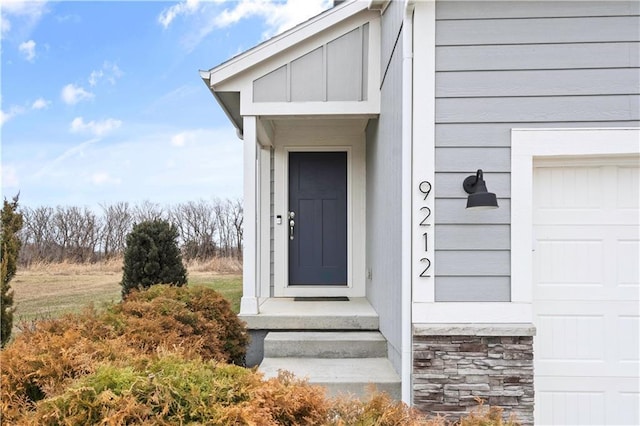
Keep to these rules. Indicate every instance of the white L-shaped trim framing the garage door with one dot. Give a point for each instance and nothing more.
(530, 144)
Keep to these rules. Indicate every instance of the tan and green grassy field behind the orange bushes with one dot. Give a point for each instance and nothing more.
(47, 291)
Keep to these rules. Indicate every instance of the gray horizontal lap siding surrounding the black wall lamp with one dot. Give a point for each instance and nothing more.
(503, 65)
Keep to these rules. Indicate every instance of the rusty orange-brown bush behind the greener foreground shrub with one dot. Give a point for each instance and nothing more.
(44, 360)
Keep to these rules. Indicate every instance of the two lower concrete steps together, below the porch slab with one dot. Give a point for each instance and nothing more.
(341, 361)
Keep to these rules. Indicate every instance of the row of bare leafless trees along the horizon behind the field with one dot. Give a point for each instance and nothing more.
(207, 229)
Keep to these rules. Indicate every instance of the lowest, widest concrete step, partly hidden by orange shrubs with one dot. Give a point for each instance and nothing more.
(340, 376)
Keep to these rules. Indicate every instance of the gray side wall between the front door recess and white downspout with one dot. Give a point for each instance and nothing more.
(384, 146)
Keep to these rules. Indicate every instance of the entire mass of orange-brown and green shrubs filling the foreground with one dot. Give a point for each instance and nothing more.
(159, 358)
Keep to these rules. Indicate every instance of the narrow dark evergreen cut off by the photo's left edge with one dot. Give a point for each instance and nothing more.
(10, 246)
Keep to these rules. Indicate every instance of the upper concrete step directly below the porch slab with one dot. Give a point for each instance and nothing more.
(325, 344)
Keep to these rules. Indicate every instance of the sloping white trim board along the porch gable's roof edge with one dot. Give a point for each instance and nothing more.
(281, 42)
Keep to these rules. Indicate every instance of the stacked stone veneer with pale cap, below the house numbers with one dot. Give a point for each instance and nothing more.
(452, 365)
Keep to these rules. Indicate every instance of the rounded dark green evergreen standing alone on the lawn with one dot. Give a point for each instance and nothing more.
(152, 257)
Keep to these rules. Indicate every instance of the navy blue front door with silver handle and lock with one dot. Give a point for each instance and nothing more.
(318, 201)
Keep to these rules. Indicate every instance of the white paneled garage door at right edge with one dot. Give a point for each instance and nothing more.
(586, 286)
